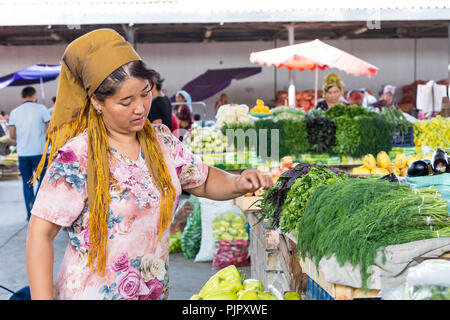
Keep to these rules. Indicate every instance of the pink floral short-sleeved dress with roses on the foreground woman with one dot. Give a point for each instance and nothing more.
(137, 263)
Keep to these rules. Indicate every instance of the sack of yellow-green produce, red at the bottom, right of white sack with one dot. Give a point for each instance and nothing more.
(231, 237)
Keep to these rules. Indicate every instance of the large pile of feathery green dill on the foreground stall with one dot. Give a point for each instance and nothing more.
(356, 218)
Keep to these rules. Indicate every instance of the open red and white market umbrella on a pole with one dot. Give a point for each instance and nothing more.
(313, 55)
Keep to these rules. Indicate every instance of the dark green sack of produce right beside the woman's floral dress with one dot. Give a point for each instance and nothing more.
(191, 236)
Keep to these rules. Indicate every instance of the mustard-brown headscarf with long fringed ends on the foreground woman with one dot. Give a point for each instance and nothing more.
(86, 63)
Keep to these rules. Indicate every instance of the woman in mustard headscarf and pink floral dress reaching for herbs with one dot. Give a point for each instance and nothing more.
(113, 180)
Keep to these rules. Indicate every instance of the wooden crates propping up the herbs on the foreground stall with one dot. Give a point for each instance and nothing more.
(274, 260)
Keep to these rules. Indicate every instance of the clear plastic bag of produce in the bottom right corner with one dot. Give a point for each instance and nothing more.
(428, 281)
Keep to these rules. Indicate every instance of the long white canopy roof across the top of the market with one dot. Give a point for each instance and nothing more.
(77, 12)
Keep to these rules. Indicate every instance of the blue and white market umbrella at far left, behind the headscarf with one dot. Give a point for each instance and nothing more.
(38, 73)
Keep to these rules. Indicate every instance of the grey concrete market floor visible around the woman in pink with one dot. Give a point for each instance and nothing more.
(186, 276)
